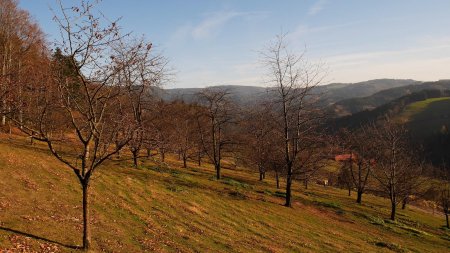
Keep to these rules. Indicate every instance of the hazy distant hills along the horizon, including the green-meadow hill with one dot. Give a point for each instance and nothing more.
(423, 106)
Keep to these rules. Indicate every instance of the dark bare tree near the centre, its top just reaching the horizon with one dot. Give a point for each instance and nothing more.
(218, 113)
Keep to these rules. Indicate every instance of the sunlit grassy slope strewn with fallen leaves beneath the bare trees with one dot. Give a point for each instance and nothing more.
(186, 210)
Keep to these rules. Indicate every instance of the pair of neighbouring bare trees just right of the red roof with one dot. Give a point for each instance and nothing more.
(380, 154)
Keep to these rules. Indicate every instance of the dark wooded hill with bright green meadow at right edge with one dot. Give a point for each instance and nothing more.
(425, 113)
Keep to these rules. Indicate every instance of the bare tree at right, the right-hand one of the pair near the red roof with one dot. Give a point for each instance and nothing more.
(397, 169)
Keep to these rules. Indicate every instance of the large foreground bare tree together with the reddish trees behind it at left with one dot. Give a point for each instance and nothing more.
(90, 92)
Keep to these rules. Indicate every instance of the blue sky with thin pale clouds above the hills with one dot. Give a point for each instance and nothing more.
(218, 42)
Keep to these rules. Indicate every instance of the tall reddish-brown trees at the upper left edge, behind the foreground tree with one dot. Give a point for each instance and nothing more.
(22, 45)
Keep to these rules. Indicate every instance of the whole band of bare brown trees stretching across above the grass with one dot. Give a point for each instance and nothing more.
(91, 98)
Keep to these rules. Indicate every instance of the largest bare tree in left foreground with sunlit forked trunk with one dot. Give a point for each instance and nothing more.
(100, 104)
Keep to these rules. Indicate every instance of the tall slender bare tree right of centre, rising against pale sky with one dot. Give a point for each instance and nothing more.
(293, 79)
